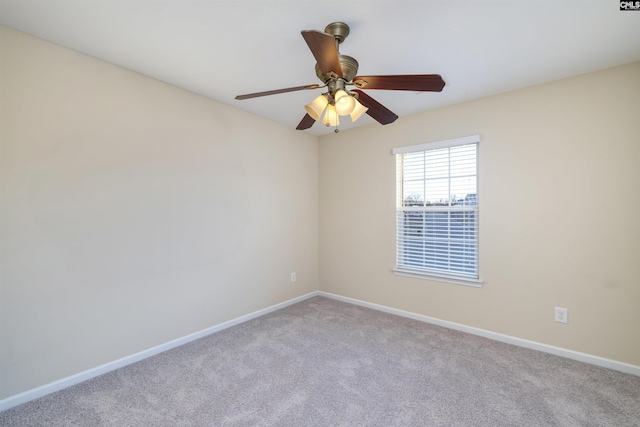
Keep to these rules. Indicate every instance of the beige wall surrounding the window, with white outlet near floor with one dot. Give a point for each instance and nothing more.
(560, 202)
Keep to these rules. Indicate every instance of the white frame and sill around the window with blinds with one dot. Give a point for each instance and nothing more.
(426, 273)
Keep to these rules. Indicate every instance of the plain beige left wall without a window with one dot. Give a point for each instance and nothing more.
(134, 213)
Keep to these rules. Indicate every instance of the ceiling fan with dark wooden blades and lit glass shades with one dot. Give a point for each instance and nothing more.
(337, 71)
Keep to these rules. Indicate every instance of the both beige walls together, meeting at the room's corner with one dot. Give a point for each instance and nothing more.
(134, 213)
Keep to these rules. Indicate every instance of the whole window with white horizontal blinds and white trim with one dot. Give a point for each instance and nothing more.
(437, 211)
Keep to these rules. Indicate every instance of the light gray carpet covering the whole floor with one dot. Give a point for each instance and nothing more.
(326, 363)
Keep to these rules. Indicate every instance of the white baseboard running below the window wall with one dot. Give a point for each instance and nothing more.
(558, 351)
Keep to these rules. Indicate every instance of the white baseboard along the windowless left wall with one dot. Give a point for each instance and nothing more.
(35, 393)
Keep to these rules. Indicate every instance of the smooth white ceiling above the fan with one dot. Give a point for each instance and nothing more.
(223, 48)
